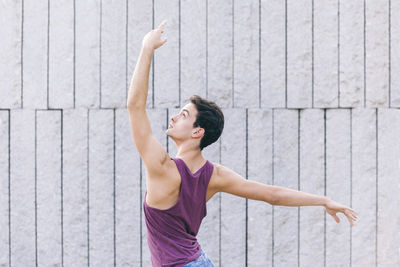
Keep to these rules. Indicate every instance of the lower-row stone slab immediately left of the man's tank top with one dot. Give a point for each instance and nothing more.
(127, 193)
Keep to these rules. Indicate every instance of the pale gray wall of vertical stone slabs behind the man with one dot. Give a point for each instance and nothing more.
(311, 95)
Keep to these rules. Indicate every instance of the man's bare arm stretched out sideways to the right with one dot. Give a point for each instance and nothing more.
(229, 181)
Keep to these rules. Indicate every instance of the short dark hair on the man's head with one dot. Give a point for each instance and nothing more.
(210, 118)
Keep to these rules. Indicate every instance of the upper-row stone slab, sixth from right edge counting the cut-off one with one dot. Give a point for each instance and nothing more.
(273, 54)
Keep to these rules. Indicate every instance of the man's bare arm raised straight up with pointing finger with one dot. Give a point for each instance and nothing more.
(151, 151)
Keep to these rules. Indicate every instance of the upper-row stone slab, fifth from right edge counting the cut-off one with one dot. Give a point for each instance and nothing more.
(299, 45)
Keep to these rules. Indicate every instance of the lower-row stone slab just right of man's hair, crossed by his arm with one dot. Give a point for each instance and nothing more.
(233, 208)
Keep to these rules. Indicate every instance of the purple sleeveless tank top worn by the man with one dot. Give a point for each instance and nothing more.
(171, 233)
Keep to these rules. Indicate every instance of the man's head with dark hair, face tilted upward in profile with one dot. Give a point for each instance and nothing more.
(199, 122)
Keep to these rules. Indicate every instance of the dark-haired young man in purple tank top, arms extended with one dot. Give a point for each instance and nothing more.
(178, 188)
